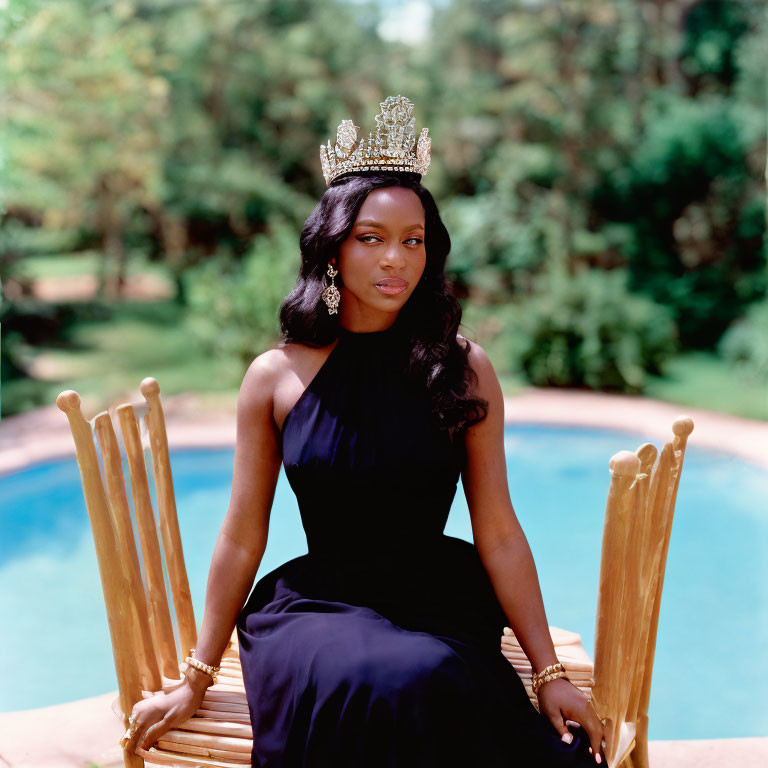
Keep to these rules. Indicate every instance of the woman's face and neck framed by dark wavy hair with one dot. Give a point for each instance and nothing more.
(383, 258)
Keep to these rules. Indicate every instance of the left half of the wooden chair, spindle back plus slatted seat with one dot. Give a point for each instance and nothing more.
(147, 657)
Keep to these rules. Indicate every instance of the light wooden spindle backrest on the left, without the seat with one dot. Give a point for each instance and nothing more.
(140, 624)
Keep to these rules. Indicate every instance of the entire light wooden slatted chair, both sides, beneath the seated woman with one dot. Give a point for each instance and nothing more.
(638, 522)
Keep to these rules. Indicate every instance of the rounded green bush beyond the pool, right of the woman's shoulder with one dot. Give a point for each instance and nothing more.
(586, 331)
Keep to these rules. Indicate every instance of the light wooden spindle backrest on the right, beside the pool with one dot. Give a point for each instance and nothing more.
(636, 532)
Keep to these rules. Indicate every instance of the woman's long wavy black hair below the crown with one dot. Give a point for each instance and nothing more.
(430, 318)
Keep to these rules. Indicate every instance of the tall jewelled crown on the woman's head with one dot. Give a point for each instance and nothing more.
(390, 148)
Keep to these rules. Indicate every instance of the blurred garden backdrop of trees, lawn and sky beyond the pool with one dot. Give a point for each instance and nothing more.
(599, 164)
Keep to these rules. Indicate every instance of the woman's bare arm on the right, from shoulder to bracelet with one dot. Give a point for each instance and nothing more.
(499, 539)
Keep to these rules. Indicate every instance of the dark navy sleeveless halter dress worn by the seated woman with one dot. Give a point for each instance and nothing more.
(381, 647)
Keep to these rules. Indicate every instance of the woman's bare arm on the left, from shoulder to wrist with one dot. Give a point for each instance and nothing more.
(242, 538)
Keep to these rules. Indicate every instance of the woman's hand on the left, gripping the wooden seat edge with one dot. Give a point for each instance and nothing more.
(156, 715)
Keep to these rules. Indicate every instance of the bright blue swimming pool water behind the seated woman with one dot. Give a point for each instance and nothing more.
(714, 612)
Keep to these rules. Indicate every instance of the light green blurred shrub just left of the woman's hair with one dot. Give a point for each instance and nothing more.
(233, 305)
